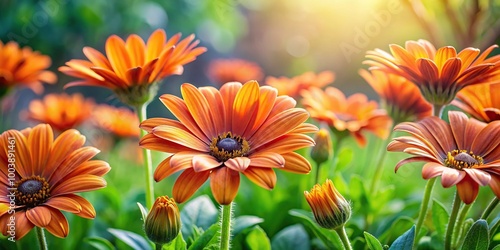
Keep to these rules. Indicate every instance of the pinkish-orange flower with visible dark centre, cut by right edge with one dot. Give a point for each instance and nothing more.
(465, 153)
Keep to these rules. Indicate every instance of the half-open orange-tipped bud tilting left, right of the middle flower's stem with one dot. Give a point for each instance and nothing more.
(330, 208)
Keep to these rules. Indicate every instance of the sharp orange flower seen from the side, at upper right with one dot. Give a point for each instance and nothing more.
(438, 74)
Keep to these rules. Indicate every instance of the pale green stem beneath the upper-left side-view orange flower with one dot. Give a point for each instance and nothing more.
(148, 164)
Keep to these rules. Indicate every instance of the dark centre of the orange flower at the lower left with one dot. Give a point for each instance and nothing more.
(31, 191)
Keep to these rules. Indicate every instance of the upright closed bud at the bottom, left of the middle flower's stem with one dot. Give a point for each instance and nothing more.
(163, 222)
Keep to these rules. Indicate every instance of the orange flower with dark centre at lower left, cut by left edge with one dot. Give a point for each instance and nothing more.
(39, 177)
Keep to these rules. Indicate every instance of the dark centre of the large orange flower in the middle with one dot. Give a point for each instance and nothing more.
(226, 146)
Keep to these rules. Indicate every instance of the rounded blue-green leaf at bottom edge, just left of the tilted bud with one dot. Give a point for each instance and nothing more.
(290, 238)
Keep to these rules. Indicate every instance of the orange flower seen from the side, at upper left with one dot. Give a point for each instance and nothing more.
(133, 67)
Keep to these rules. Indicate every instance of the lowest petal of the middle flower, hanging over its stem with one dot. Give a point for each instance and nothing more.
(224, 183)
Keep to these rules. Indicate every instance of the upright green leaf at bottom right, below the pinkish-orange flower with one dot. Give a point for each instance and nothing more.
(477, 237)
